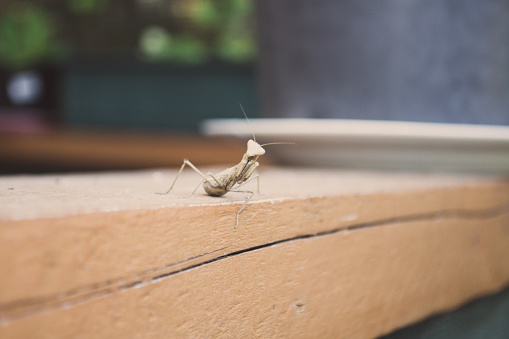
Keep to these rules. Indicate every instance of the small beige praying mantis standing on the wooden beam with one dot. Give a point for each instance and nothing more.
(231, 179)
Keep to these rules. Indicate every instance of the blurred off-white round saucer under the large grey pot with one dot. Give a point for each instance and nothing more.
(377, 144)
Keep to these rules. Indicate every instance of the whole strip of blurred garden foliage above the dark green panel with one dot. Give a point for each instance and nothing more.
(36, 32)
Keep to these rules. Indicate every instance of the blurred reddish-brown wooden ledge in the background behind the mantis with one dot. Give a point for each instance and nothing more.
(85, 150)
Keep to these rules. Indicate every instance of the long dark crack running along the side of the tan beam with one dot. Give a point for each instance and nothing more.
(22, 309)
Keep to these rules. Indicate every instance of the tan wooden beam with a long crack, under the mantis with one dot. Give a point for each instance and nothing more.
(322, 253)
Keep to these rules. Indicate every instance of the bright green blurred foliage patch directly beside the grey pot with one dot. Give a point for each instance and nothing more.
(220, 28)
